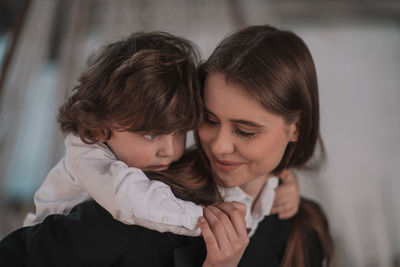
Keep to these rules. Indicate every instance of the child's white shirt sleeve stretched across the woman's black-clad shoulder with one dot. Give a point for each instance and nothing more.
(127, 193)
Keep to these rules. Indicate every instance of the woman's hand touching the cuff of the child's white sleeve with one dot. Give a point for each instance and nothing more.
(224, 231)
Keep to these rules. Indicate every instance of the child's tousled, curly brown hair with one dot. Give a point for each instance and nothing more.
(145, 83)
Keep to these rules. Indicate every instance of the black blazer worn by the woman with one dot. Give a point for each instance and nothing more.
(89, 236)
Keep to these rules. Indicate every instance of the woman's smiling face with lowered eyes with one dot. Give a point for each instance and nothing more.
(242, 140)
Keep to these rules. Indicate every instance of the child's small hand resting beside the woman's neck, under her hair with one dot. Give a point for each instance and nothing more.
(287, 196)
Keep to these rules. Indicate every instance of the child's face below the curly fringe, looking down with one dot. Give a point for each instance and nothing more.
(147, 152)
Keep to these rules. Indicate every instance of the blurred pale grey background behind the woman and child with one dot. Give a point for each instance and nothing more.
(356, 48)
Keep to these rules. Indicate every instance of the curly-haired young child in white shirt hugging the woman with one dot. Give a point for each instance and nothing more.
(129, 113)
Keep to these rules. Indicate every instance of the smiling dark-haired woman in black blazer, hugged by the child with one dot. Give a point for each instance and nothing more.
(262, 116)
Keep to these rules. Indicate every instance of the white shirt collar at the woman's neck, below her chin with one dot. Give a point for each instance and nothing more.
(262, 206)
